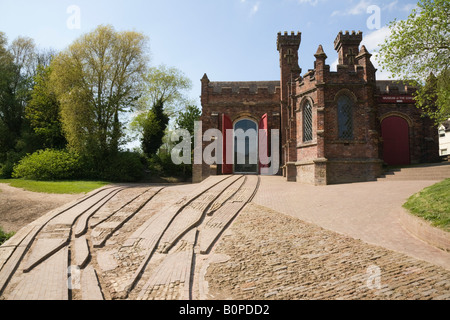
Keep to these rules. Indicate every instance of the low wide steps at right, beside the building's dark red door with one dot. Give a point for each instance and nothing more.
(431, 172)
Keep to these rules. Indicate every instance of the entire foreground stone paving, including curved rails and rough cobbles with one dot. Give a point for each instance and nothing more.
(206, 241)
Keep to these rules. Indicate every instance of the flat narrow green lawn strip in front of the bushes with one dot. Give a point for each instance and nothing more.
(55, 187)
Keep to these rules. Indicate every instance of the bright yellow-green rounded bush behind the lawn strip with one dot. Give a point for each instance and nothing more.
(49, 165)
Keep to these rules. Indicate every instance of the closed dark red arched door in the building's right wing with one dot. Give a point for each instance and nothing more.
(395, 132)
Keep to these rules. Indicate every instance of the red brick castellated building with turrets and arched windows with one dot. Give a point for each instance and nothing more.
(335, 127)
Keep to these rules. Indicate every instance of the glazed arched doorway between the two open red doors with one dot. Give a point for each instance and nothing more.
(246, 147)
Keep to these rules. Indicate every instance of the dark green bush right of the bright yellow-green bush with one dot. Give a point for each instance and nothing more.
(124, 167)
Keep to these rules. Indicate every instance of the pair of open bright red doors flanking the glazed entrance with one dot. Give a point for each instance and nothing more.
(228, 160)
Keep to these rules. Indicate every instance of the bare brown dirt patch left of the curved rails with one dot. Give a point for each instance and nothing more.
(18, 207)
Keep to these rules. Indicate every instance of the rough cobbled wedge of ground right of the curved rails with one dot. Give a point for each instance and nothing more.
(269, 255)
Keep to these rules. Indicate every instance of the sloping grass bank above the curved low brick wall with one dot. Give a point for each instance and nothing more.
(432, 204)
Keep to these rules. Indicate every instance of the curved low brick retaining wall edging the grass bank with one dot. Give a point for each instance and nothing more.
(423, 230)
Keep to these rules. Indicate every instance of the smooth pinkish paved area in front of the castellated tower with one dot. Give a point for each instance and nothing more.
(368, 211)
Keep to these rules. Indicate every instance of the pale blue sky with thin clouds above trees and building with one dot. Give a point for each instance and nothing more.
(230, 40)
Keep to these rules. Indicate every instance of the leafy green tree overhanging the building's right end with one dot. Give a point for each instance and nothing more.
(419, 47)
